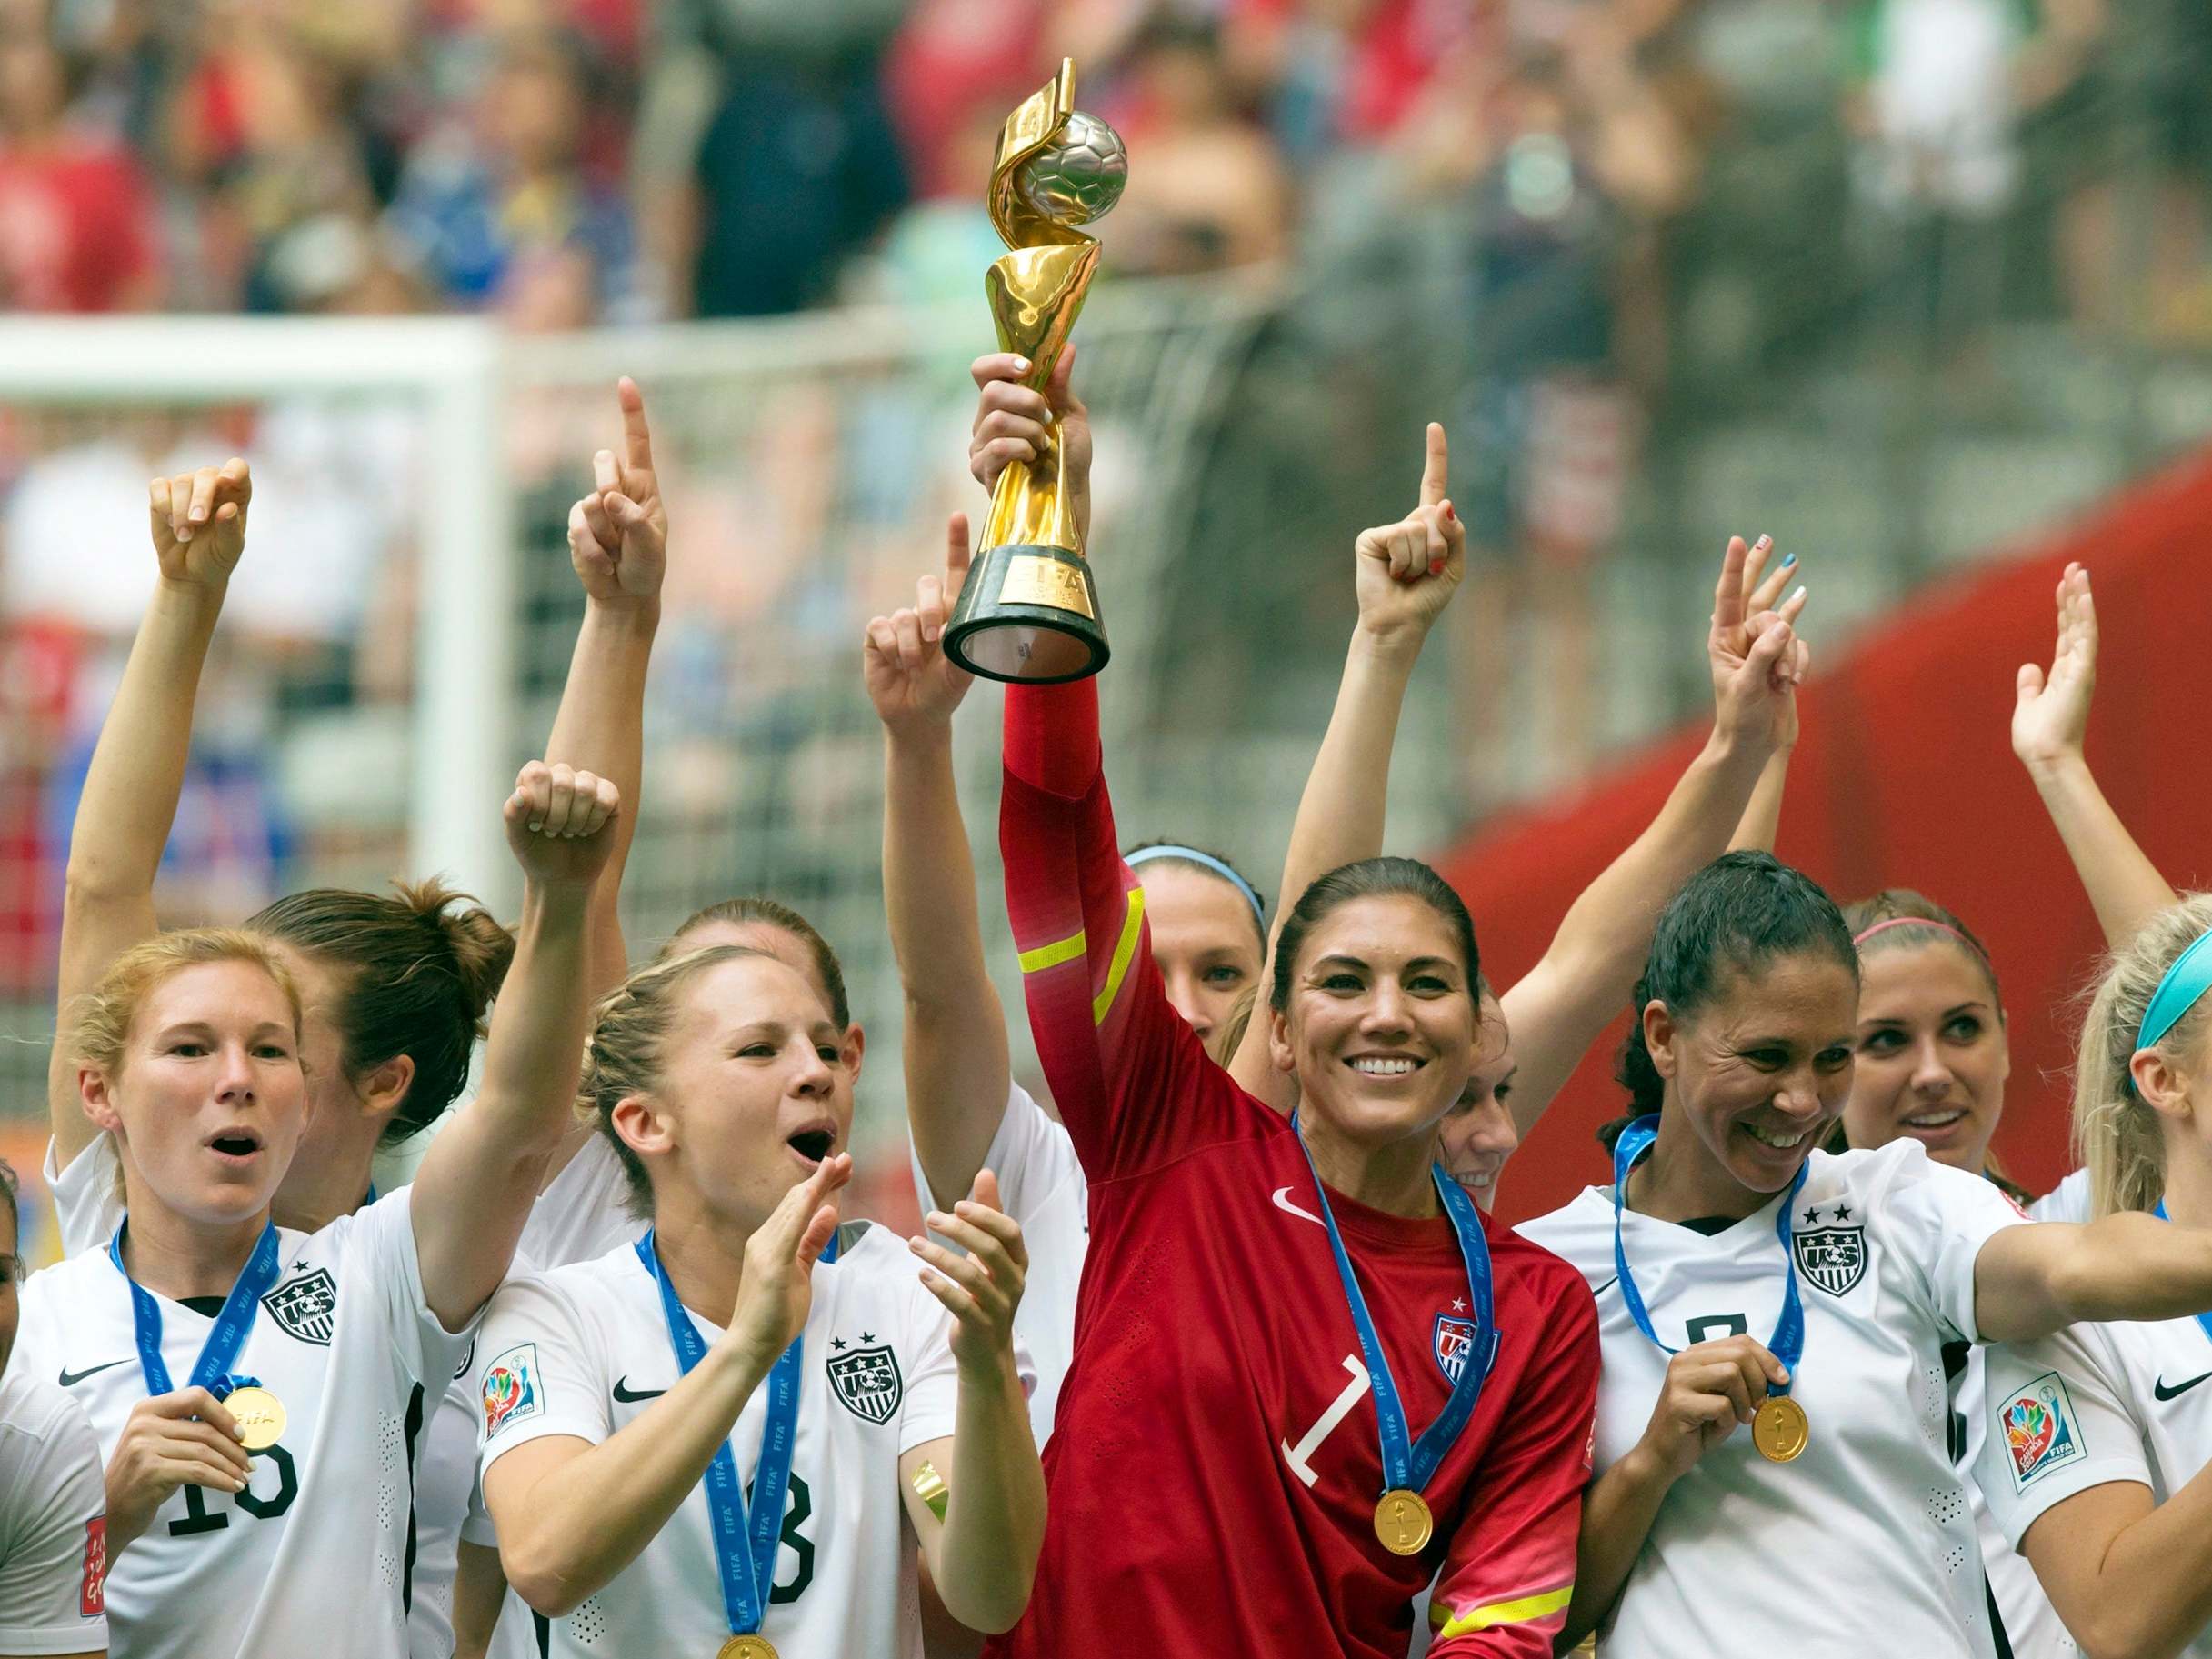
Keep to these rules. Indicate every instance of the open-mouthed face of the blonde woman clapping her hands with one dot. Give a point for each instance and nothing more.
(753, 1092)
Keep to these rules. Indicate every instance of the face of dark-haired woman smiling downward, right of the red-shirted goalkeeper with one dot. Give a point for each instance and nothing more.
(1764, 1070)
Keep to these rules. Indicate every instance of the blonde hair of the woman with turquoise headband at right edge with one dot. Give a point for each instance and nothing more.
(2116, 1129)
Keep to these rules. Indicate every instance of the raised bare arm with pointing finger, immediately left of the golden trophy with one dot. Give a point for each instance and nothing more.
(957, 1030)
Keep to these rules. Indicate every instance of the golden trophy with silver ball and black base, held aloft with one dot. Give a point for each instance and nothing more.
(1030, 609)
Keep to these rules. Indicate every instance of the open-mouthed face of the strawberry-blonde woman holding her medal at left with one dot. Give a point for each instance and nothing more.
(209, 1105)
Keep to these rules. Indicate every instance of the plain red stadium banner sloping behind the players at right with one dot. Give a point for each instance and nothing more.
(1906, 778)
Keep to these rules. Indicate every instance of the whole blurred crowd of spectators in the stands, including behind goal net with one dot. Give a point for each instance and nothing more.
(1541, 218)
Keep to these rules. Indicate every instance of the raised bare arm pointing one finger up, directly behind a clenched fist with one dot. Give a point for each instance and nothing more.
(618, 543)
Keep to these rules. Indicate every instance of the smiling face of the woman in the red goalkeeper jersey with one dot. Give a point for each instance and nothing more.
(1381, 1023)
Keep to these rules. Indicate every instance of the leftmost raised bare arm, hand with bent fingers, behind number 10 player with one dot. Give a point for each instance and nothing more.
(138, 766)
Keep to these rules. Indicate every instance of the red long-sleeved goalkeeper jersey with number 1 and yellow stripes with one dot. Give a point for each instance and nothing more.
(1215, 1461)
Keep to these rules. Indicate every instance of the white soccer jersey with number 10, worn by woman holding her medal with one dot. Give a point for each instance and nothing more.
(315, 1556)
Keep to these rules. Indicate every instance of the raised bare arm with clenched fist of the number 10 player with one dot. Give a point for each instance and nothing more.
(483, 1171)
